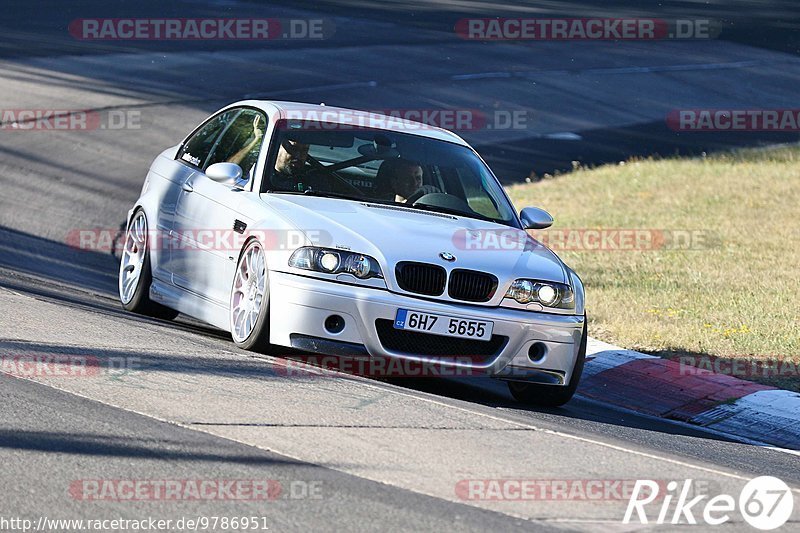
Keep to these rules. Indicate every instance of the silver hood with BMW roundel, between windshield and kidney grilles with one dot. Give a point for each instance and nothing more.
(393, 233)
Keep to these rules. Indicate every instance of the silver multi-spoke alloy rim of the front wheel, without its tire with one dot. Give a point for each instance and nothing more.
(249, 287)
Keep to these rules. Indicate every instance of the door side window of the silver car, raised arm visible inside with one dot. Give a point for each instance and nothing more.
(241, 142)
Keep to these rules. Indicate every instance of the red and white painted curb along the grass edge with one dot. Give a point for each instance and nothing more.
(660, 387)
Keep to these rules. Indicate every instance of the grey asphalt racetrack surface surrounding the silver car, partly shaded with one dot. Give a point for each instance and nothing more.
(176, 400)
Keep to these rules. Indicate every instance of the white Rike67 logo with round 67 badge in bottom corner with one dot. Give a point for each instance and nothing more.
(766, 503)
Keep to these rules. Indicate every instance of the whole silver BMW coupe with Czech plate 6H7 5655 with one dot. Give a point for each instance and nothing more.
(353, 234)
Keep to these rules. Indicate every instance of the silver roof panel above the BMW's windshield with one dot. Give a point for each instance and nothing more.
(340, 115)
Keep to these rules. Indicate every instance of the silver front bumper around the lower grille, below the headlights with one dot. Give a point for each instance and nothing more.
(300, 305)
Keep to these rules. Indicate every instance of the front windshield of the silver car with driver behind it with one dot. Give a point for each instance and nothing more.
(383, 166)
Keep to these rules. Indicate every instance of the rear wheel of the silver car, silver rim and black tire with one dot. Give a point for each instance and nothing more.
(135, 274)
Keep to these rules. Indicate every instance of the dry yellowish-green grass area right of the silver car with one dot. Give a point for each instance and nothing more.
(737, 295)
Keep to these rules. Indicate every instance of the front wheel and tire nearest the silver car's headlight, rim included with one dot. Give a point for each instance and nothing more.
(249, 302)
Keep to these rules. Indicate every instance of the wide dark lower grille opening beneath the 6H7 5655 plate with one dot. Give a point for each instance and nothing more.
(426, 344)
